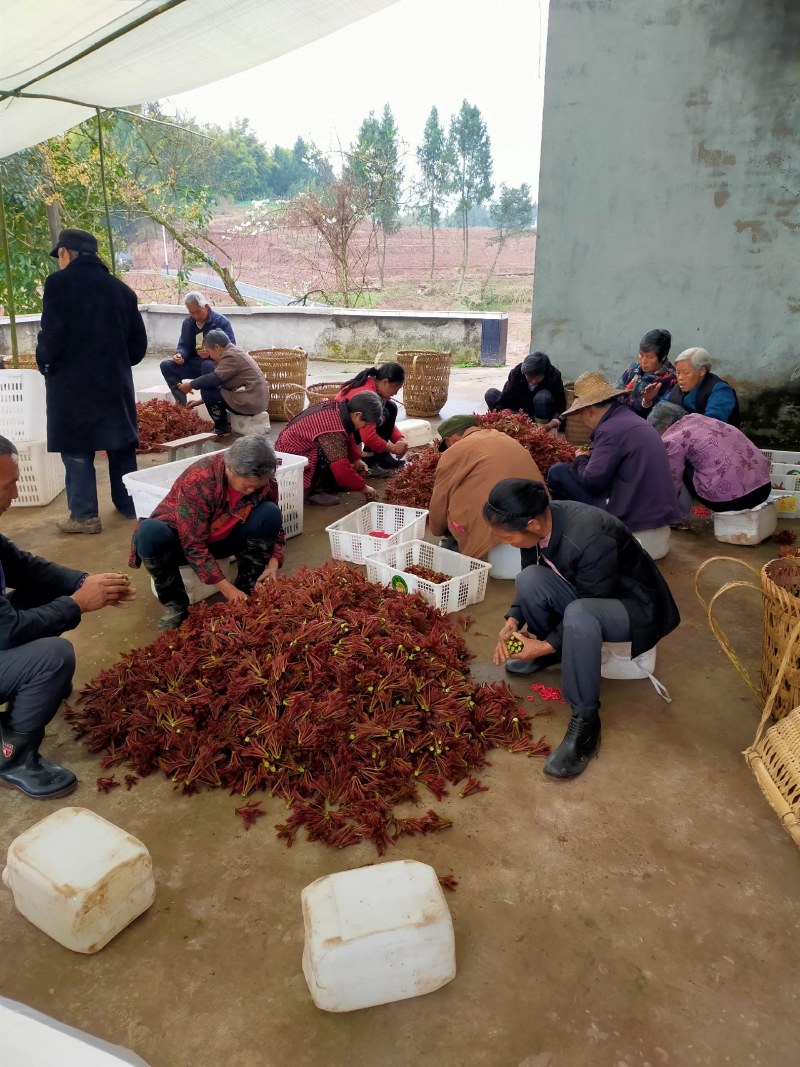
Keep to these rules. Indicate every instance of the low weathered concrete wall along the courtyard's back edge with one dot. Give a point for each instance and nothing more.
(326, 333)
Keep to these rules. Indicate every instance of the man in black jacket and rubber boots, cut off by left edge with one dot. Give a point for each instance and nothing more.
(37, 664)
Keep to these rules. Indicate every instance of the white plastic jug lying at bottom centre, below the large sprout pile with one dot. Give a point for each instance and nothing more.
(377, 935)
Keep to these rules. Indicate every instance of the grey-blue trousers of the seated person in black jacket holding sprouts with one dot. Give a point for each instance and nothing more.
(550, 606)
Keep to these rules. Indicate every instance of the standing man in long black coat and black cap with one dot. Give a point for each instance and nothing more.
(92, 335)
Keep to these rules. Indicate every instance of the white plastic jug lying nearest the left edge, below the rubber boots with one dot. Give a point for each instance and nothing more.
(79, 879)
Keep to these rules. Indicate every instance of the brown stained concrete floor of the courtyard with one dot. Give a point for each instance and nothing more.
(645, 914)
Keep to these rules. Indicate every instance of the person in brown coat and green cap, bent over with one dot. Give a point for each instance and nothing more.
(474, 461)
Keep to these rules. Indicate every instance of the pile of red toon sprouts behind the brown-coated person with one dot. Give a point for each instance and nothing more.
(413, 486)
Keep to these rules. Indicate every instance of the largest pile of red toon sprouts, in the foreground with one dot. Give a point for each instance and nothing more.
(342, 698)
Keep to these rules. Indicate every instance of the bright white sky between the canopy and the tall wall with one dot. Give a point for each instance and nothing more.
(413, 55)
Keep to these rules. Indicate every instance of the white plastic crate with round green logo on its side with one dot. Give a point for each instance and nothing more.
(467, 586)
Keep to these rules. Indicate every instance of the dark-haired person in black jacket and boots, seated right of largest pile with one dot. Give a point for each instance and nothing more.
(586, 580)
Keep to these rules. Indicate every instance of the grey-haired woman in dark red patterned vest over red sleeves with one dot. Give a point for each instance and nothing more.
(326, 435)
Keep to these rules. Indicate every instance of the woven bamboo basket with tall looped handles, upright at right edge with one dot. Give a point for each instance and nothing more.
(780, 590)
